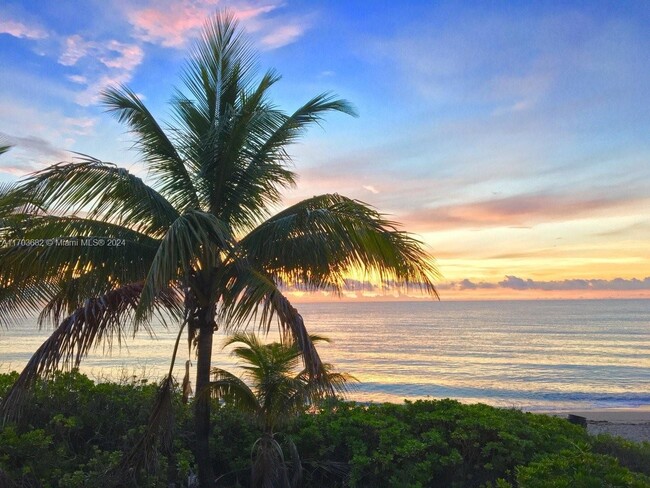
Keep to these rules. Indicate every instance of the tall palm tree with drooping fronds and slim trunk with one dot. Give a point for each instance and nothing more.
(108, 252)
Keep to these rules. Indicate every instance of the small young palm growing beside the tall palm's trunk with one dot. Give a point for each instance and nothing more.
(273, 388)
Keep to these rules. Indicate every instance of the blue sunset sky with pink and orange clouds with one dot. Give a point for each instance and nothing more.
(512, 137)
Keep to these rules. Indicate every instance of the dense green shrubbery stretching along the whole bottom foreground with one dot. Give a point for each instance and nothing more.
(75, 433)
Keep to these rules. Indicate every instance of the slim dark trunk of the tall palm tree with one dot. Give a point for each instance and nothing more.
(206, 327)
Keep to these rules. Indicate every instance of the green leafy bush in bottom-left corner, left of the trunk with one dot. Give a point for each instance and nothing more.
(73, 431)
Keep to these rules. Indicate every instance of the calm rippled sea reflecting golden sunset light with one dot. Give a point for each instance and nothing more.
(537, 355)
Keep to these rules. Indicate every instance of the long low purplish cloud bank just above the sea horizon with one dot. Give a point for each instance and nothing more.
(516, 283)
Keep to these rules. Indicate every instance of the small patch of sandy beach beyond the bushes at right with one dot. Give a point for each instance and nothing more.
(631, 423)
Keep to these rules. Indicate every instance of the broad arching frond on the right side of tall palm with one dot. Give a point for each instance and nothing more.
(318, 242)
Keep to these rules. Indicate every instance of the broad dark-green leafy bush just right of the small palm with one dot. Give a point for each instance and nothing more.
(429, 443)
